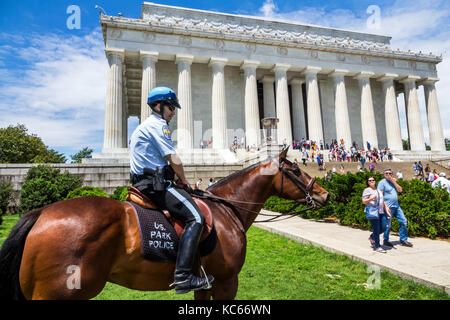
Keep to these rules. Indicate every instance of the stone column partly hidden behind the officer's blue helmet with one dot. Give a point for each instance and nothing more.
(148, 60)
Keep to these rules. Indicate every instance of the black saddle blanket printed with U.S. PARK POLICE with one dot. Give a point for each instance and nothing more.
(159, 240)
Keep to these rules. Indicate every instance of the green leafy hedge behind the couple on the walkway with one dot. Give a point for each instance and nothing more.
(427, 209)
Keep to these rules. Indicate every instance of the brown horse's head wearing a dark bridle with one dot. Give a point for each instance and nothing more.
(290, 182)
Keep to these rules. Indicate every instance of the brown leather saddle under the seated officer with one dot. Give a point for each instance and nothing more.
(136, 196)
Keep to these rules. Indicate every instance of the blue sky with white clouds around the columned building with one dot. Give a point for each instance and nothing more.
(53, 79)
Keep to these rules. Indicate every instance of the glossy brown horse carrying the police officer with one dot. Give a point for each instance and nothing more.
(70, 249)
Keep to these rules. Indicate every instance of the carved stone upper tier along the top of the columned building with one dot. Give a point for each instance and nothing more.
(245, 28)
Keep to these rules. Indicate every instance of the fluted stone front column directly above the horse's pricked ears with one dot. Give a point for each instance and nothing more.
(283, 110)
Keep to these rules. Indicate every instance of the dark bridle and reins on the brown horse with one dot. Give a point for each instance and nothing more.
(296, 172)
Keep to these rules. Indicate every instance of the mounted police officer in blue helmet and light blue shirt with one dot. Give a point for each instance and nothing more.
(154, 162)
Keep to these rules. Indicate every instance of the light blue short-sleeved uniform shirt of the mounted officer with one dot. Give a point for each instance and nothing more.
(150, 143)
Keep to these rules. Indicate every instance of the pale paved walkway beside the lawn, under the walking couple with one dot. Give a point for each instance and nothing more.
(427, 263)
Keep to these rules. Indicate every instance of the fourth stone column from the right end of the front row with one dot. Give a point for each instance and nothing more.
(369, 129)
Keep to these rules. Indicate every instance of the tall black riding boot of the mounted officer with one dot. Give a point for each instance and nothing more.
(185, 280)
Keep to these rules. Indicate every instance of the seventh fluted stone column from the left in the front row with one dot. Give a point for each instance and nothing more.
(315, 128)
